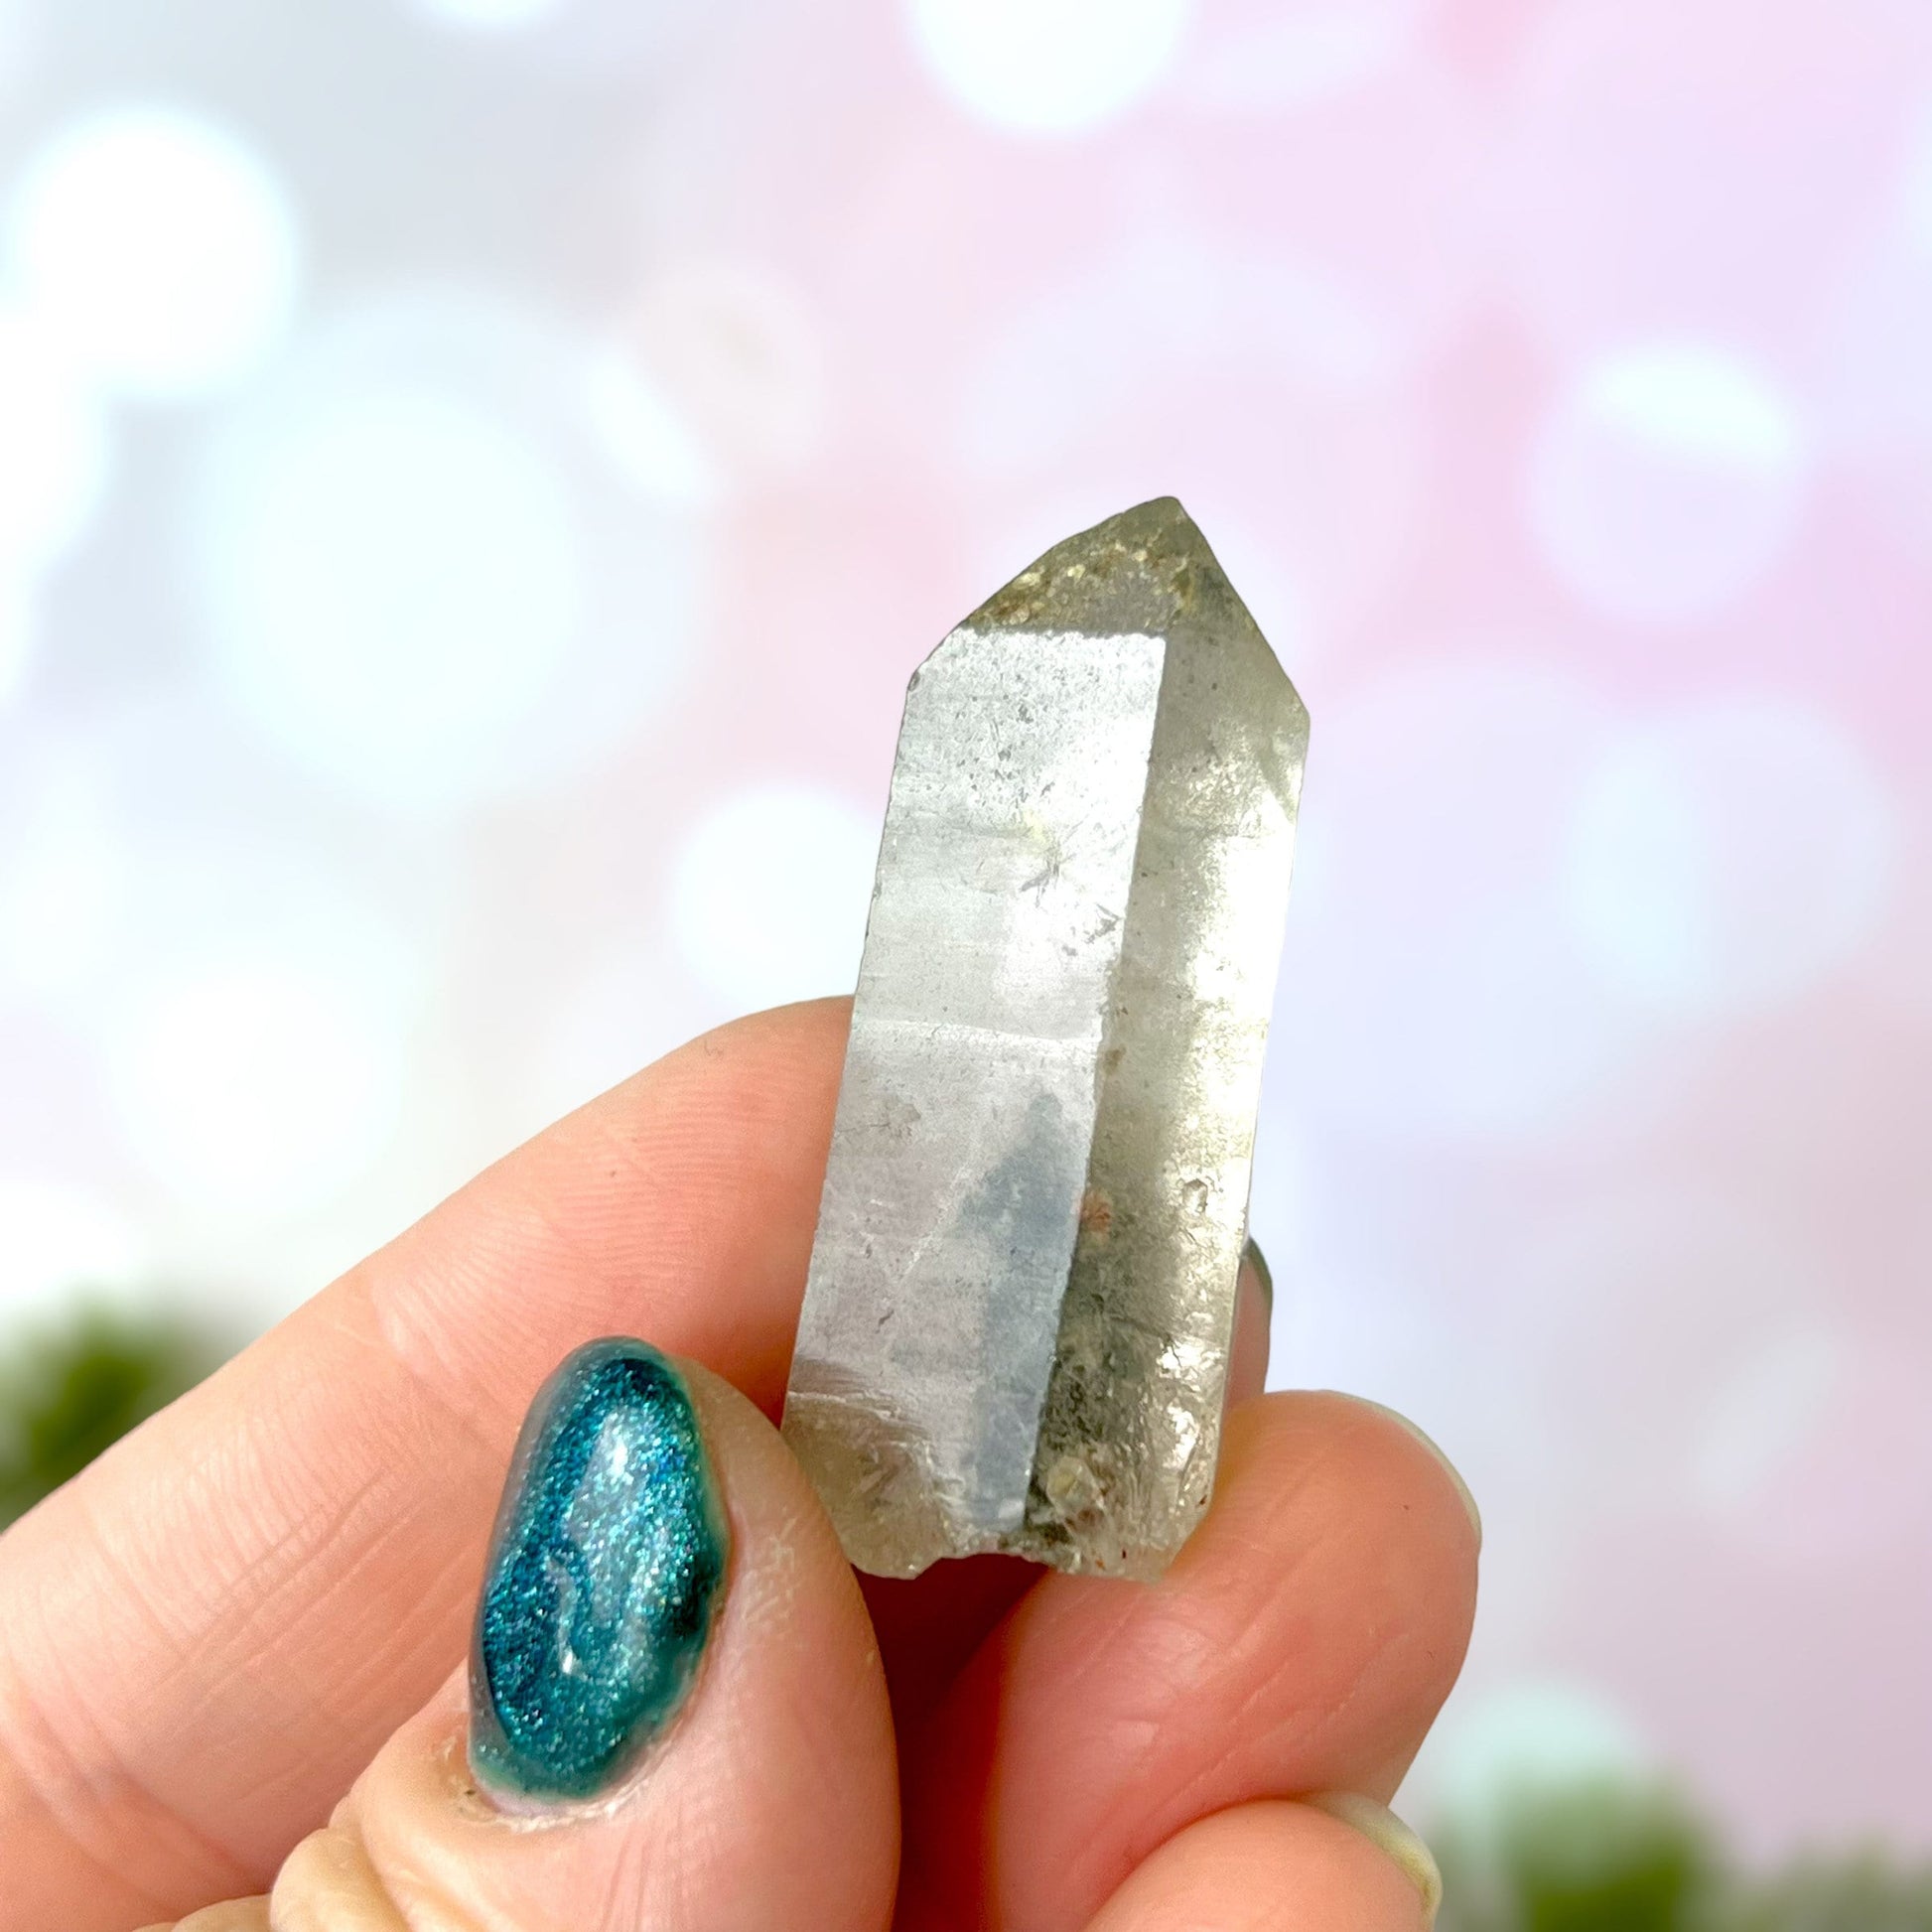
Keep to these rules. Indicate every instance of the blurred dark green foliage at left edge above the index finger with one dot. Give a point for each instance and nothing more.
(71, 1388)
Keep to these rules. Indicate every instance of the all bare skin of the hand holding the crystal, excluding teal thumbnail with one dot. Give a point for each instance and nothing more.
(231, 1653)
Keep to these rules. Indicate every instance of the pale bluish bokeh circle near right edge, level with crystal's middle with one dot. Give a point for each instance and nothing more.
(1728, 857)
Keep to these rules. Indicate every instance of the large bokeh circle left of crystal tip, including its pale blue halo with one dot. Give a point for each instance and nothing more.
(428, 582)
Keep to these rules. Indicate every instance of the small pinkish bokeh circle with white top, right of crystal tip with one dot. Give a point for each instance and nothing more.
(1664, 482)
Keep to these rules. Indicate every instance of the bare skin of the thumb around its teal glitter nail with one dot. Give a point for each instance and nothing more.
(768, 1798)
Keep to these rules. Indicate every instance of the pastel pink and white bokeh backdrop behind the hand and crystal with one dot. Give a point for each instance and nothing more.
(476, 476)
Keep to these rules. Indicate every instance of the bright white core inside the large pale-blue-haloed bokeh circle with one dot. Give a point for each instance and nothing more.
(407, 577)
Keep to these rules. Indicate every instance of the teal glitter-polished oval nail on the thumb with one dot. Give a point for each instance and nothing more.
(604, 1577)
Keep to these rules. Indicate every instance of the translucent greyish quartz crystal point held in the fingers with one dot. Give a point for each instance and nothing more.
(1023, 1288)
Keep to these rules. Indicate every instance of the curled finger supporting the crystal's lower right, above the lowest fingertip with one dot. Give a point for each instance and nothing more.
(1303, 1641)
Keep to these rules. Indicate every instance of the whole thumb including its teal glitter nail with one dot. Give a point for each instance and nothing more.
(673, 1719)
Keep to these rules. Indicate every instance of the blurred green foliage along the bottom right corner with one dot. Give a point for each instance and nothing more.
(1618, 1858)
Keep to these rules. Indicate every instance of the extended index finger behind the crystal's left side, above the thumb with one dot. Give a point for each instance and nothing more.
(206, 1637)
